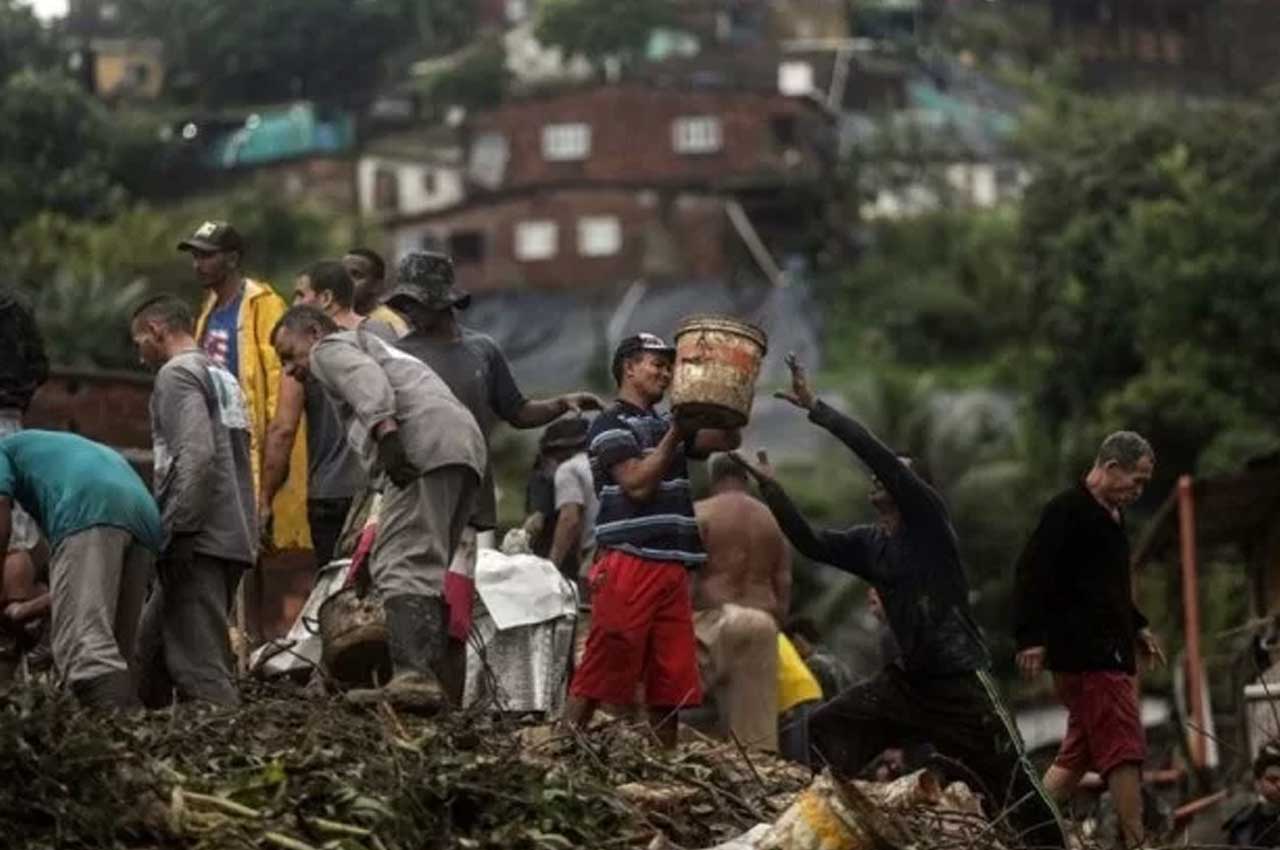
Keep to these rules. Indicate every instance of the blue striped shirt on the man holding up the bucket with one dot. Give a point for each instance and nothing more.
(661, 529)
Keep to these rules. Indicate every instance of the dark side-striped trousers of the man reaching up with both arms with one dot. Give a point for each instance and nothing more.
(963, 718)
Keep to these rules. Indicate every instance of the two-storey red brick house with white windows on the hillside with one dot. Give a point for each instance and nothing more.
(609, 185)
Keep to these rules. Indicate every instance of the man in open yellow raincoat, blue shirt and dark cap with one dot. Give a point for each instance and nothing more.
(235, 330)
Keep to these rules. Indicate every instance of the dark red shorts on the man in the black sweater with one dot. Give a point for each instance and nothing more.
(1104, 725)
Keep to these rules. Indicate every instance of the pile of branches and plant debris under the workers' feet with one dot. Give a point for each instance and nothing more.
(298, 773)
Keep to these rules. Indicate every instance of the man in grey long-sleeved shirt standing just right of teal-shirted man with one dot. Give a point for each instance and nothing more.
(204, 486)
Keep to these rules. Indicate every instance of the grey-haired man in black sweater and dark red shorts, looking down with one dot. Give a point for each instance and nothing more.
(1076, 616)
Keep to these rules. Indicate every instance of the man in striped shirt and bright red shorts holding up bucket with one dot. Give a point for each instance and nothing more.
(642, 614)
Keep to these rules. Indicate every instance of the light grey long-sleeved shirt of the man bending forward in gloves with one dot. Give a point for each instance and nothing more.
(372, 382)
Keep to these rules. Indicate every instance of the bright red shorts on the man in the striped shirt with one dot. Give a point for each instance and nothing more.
(642, 633)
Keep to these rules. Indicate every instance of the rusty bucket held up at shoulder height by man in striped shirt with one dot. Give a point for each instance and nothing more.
(717, 363)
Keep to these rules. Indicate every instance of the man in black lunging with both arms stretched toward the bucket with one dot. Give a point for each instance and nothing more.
(939, 689)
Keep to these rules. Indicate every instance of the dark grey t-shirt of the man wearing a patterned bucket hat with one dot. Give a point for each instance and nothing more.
(478, 373)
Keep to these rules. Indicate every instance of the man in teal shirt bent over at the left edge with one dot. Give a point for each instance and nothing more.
(104, 531)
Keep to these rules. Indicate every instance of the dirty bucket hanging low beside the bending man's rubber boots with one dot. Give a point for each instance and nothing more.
(354, 639)
